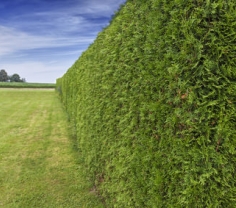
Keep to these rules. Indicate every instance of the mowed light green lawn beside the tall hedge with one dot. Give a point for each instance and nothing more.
(39, 164)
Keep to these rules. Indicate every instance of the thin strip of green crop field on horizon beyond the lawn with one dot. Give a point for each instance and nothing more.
(26, 85)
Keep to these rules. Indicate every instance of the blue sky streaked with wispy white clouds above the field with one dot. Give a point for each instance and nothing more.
(41, 39)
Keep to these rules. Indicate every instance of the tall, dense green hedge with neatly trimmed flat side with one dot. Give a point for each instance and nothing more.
(153, 102)
